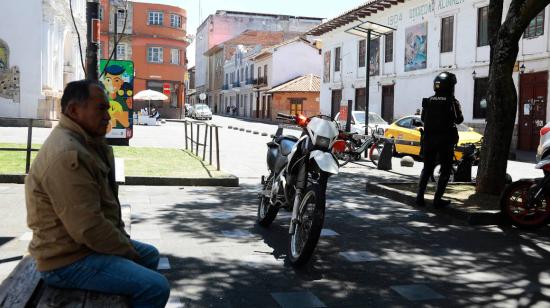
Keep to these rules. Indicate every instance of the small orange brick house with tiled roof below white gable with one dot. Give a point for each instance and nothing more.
(297, 96)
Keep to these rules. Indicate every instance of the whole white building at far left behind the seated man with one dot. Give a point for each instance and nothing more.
(39, 54)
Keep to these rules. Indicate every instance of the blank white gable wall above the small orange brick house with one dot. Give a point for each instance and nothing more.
(294, 60)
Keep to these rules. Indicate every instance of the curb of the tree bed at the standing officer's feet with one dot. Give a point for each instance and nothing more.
(487, 217)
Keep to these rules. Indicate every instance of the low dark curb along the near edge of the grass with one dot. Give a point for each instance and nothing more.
(229, 181)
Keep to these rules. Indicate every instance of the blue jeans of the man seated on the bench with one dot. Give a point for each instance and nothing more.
(117, 275)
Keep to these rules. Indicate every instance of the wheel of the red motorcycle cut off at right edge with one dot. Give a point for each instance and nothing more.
(515, 211)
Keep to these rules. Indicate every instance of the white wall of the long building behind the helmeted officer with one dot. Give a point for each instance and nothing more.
(411, 86)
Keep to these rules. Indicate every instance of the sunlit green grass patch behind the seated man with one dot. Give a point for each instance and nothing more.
(163, 162)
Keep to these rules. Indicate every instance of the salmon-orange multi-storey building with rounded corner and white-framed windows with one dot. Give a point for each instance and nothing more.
(154, 38)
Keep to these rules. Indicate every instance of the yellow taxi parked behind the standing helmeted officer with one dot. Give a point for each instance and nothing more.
(406, 135)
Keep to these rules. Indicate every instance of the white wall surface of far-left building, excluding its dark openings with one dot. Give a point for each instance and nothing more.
(36, 38)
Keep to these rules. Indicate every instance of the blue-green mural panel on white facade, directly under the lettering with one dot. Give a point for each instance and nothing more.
(416, 47)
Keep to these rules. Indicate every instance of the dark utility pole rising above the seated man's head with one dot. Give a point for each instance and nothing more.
(92, 38)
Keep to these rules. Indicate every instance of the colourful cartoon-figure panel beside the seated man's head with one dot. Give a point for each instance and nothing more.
(118, 83)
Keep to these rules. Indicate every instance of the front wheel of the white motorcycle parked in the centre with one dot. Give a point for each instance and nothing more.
(309, 223)
